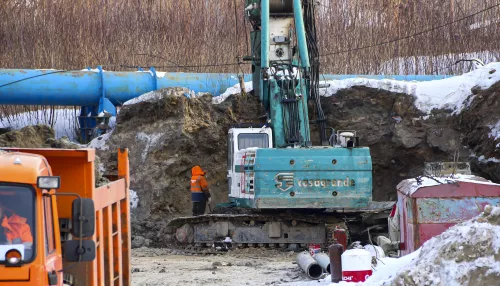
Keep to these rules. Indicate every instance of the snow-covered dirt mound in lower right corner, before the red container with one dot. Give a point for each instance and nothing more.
(466, 254)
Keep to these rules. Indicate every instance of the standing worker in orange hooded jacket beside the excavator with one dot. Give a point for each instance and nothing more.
(200, 193)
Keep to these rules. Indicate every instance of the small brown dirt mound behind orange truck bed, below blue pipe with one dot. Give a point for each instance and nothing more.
(27, 137)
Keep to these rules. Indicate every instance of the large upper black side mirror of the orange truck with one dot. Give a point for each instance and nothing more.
(83, 217)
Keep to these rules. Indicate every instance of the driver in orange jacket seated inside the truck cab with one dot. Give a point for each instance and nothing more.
(14, 229)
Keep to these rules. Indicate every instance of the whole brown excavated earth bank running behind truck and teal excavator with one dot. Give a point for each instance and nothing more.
(168, 133)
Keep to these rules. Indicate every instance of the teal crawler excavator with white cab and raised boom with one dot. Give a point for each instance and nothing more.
(282, 189)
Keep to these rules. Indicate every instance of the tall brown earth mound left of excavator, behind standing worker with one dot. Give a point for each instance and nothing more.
(167, 134)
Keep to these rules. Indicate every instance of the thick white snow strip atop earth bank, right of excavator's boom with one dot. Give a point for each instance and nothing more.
(445, 93)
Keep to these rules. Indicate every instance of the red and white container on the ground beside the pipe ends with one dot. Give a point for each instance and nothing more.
(356, 265)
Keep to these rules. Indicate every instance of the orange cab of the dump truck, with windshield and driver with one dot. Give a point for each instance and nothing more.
(27, 226)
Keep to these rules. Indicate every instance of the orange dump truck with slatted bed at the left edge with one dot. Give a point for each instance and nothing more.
(56, 226)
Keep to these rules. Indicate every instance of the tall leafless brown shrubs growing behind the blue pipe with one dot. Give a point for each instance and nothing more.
(73, 34)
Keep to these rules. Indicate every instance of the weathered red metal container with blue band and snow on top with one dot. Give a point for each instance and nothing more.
(430, 209)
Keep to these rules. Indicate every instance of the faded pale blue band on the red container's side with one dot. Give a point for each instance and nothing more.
(451, 210)
